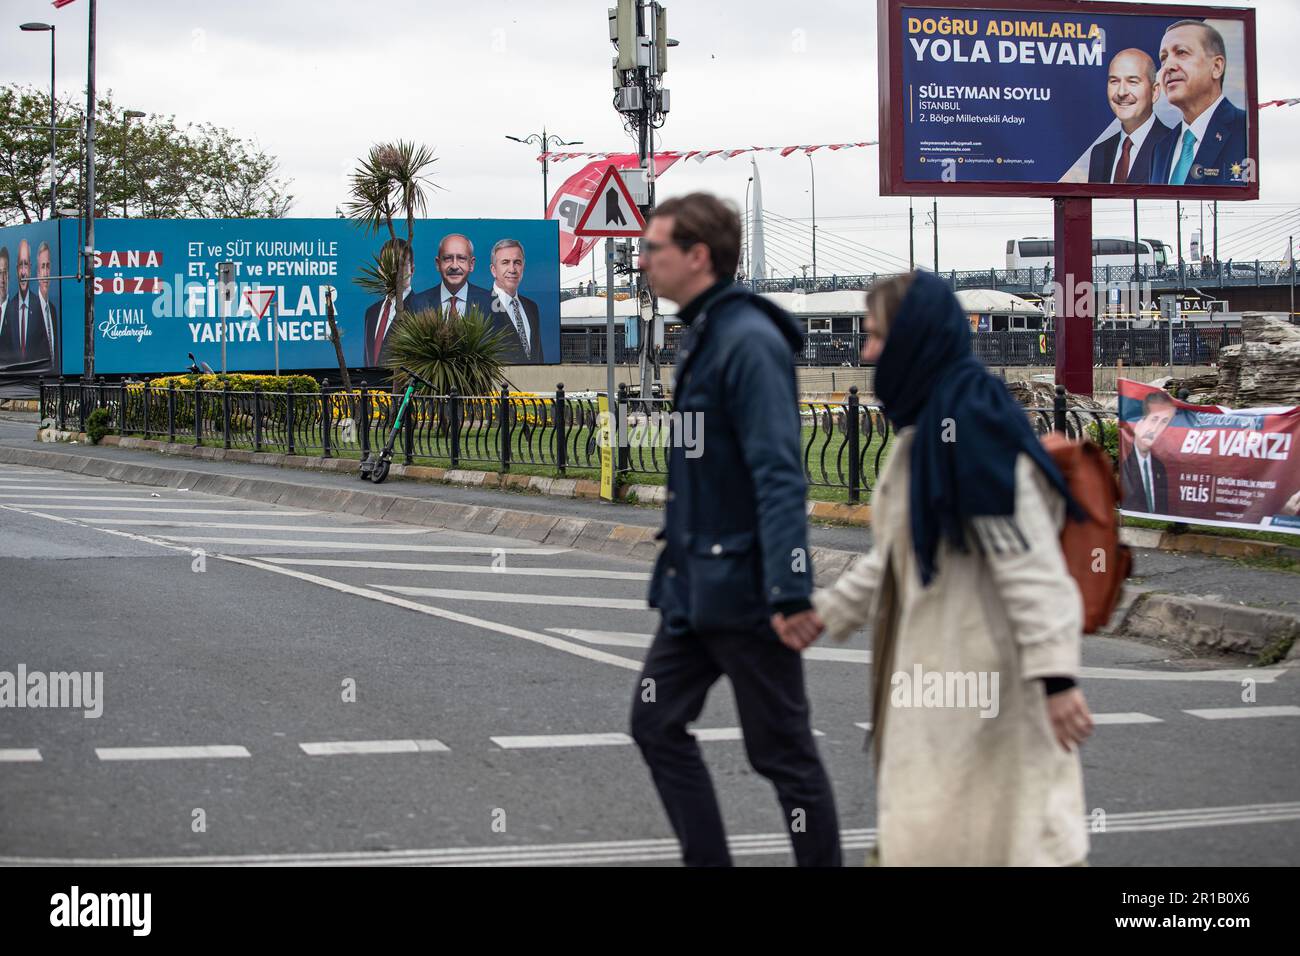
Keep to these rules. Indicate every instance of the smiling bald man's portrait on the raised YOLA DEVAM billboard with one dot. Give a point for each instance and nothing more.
(1132, 92)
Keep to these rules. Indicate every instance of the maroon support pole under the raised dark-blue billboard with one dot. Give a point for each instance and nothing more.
(1073, 246)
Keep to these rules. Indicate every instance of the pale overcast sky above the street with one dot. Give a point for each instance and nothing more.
(315, 83)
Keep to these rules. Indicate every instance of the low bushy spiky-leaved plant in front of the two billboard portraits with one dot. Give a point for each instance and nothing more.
(450, 352)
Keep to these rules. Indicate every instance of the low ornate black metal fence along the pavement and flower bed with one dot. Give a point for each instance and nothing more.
(844, 443)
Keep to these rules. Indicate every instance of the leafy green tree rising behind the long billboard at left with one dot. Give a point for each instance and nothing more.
(158, 168)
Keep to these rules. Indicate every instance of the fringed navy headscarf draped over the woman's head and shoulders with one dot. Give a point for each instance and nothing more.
(969, 429)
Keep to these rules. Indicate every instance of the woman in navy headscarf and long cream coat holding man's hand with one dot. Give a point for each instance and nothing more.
(977, 633)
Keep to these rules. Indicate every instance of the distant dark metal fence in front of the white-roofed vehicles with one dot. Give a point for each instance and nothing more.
(1037, 348)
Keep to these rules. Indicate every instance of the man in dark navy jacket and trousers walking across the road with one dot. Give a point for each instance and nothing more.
(735, 544)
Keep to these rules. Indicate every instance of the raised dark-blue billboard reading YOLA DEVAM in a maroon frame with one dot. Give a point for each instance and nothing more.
(1048, 98)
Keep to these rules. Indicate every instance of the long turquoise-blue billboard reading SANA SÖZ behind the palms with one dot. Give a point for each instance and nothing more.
(158, 296)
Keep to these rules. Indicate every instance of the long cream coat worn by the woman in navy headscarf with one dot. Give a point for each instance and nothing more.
(955, 788)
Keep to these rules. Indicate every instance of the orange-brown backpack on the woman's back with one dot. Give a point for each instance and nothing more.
(1099, 563)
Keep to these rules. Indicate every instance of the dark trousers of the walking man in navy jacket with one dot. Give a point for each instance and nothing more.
(768, 680)
